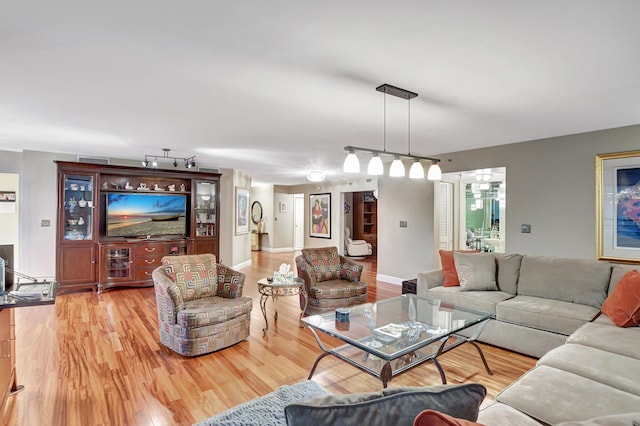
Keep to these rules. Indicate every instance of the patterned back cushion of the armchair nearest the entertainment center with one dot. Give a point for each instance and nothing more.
(195, 275)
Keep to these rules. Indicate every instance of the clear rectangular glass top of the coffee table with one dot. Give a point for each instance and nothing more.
(394, 327)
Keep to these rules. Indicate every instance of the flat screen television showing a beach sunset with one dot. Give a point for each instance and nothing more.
(146, 214)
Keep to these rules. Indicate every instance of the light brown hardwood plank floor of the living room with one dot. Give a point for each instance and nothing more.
(97, 360)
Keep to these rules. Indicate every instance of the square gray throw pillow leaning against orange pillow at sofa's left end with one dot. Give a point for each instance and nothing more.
(476, 271)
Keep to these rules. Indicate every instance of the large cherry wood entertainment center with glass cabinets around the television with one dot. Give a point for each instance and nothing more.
(97, 249)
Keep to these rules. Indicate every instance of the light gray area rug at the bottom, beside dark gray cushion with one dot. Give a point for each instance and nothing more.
(267, 410)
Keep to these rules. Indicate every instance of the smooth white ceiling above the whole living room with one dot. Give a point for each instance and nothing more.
(277, 88)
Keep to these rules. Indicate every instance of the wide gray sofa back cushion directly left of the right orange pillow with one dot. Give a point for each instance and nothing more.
(579, 281)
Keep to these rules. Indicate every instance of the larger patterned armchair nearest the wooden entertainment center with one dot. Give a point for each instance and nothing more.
(200, 304)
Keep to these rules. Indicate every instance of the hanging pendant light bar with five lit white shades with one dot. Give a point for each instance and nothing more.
(352, 164)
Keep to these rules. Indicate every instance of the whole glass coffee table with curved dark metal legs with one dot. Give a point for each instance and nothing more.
(393, 335)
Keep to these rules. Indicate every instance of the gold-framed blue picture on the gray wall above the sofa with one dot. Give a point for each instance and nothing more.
(618, 206)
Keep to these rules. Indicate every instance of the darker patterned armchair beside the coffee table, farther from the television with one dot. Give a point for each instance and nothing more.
(331, 280)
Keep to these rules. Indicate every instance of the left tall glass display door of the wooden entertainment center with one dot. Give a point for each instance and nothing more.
(78, 207)
